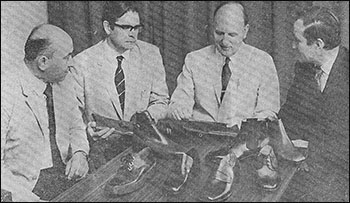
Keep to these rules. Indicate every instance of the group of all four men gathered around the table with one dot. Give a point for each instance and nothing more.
(229, 81)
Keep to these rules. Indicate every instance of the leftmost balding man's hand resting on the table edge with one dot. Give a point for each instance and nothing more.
(77, 167)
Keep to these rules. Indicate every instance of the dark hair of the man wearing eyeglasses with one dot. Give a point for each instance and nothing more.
(113, 10)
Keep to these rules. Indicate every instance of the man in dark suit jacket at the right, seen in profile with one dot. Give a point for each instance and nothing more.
(317, 108)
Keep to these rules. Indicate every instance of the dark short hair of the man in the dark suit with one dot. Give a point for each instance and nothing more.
(323, 25)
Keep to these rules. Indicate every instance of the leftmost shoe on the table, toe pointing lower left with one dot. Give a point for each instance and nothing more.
(136, 168)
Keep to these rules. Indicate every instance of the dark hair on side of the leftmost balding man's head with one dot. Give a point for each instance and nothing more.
(35, 47)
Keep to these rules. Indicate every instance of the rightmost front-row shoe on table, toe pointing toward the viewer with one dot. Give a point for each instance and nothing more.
(268, 176)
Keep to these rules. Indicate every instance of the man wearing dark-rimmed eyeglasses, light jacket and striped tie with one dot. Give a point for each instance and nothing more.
(120, 76)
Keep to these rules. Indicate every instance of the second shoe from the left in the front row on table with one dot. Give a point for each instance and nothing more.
(184, 167)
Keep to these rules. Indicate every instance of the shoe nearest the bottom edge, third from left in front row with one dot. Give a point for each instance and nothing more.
(218, 186)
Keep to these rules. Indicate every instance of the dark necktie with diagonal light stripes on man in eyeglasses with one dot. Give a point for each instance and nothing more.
(119, 80)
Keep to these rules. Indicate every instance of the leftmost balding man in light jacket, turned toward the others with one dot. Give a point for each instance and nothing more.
(44, 146)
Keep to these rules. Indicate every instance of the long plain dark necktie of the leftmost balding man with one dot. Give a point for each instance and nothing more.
(56, 157)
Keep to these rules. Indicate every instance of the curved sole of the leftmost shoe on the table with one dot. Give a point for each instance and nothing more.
(131, 187)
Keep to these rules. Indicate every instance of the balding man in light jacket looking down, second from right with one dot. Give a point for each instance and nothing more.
(252, 89)
